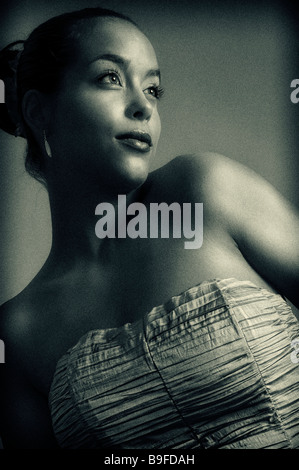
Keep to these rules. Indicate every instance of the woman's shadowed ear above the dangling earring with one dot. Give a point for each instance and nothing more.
(34, 110)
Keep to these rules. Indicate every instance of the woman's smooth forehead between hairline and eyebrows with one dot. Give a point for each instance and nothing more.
(116, 37)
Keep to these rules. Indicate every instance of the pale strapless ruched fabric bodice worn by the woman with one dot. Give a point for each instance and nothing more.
(210, 368)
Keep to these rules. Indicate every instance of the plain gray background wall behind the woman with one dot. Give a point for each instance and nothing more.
(227, 69)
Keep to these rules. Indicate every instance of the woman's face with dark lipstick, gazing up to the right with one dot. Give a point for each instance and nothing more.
(105, 123)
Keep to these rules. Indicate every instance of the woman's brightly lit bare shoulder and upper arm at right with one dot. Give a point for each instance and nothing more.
(264, 225)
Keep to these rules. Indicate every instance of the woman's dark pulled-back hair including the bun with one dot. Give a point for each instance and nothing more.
(40, 65)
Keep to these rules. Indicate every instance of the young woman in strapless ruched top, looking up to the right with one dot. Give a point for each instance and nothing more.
(138, 342)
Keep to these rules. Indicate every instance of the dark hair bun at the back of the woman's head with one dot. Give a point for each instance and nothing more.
(9, 115)
